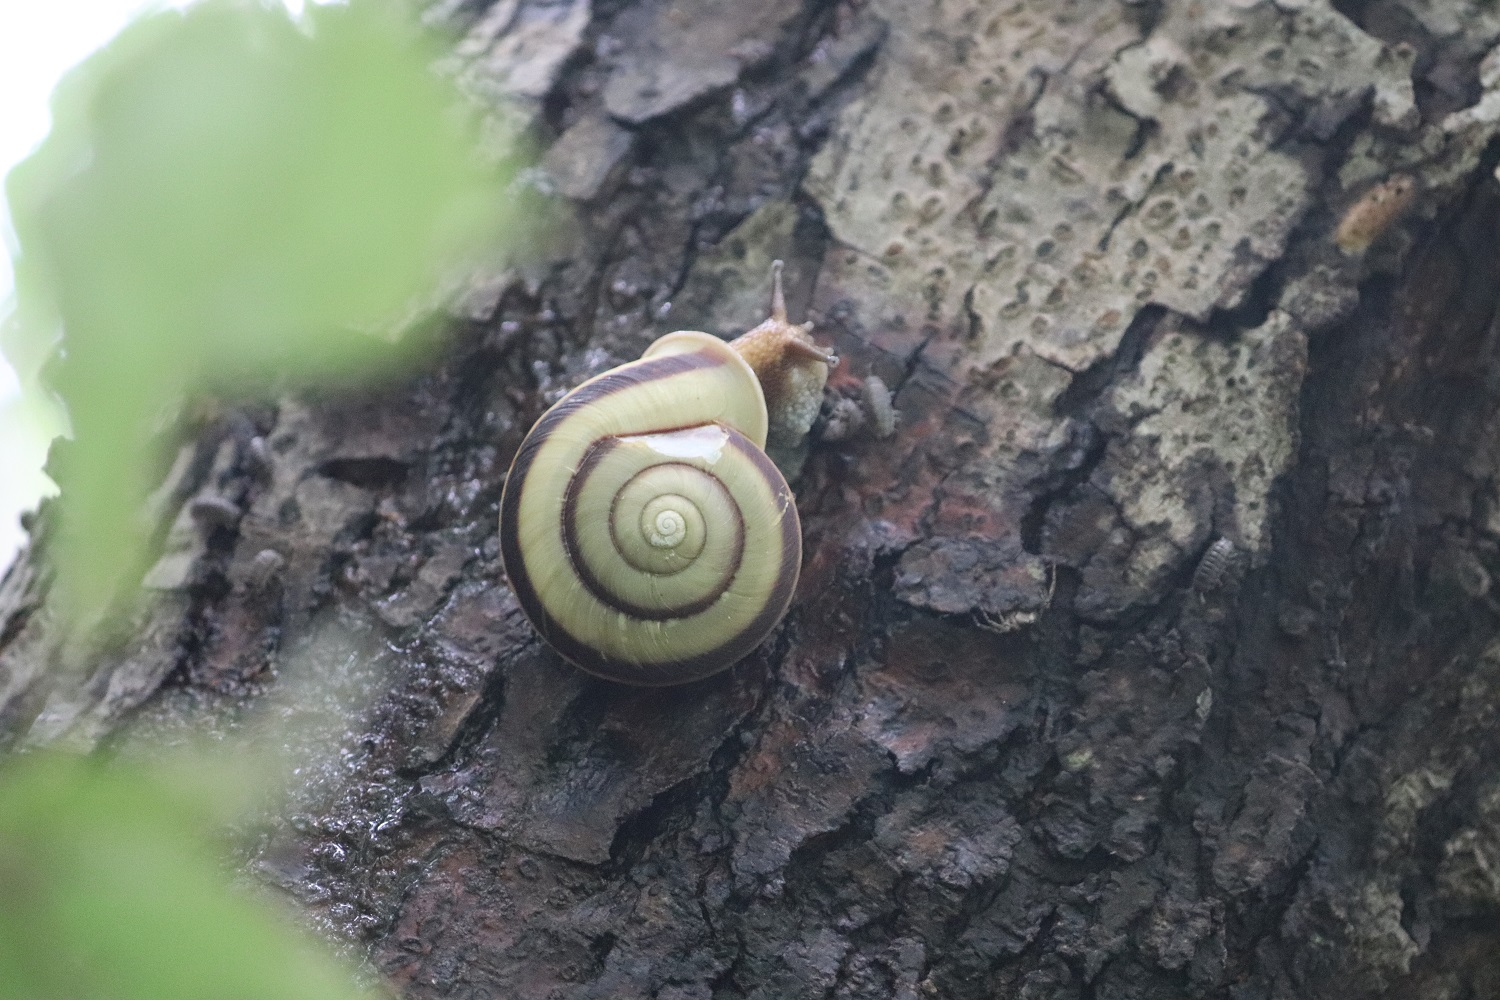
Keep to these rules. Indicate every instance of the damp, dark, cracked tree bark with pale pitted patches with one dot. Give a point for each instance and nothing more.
(1016, 737)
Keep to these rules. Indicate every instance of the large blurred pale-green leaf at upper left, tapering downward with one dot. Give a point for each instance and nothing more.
(230, 202)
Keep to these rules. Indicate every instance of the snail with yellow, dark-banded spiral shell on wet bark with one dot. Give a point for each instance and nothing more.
(644, 530)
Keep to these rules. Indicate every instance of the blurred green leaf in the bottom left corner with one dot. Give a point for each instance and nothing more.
(107, 891)
